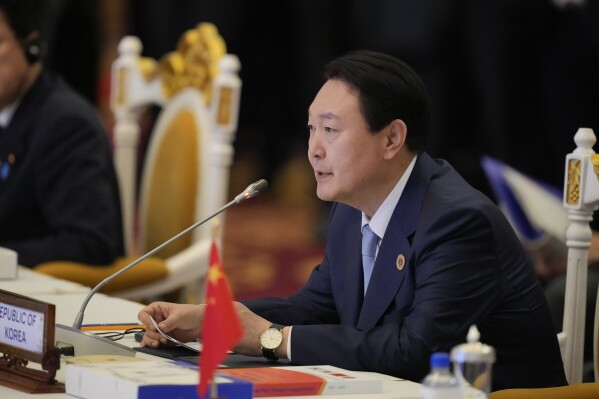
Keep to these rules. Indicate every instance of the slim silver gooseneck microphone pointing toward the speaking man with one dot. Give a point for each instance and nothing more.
(71, 332)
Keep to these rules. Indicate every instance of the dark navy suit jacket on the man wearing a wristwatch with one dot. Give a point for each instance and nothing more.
(463, 265)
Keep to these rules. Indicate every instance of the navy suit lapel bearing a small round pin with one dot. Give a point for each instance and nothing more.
(386, 277)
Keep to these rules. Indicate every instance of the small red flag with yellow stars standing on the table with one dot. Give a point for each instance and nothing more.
(221, 329)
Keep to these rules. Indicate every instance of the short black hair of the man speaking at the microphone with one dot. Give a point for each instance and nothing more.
(387, 89)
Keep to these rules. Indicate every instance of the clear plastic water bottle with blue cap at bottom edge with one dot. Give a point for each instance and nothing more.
(440, 383)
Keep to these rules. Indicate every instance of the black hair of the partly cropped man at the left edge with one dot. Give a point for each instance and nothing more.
(24, 16)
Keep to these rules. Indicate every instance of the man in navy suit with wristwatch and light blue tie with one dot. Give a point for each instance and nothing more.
(445, 256)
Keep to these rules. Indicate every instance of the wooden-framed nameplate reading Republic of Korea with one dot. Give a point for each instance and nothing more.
(27, 335)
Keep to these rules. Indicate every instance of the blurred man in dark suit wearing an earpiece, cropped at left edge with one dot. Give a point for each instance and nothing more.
(59, 196)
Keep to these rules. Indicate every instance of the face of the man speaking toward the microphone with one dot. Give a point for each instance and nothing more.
(345, 156)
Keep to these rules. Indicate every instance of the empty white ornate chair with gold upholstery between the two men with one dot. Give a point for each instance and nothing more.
(185, 175)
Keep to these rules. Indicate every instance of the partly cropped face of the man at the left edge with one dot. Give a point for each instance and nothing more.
(13, 65)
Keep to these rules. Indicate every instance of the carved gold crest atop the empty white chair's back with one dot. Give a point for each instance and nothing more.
(194, 63)
